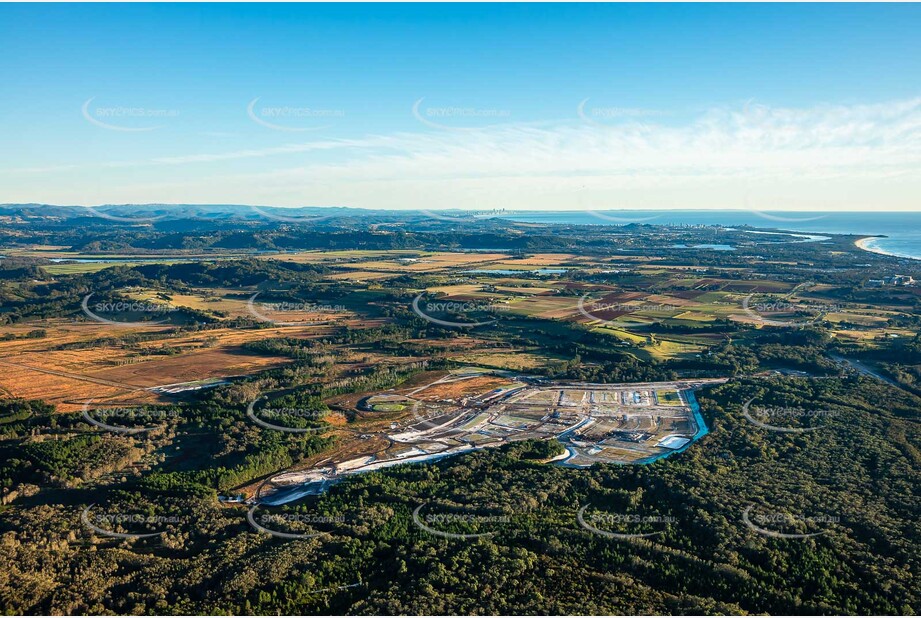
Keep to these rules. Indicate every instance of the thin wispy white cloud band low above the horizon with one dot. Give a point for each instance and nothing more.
(724, 150)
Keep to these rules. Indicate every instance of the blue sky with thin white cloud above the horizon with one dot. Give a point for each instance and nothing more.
(435, 106)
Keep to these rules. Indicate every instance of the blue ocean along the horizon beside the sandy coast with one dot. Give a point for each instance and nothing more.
(902, 229)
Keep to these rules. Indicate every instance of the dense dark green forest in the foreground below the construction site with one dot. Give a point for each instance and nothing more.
(854, 480)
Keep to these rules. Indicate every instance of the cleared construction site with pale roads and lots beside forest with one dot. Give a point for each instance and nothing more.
(470, 410)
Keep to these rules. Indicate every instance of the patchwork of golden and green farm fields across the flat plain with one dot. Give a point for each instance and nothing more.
(668, 314)
